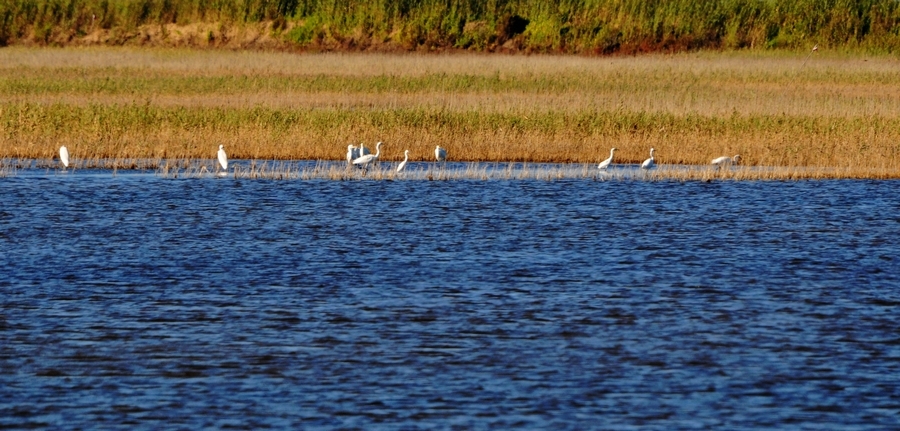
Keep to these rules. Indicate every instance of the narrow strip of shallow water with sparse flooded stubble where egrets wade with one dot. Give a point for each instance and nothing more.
(432, 171)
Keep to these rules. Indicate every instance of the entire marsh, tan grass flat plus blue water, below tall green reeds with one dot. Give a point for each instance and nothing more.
(514, 286)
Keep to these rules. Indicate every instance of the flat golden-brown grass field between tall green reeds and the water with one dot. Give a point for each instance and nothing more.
(809, 115)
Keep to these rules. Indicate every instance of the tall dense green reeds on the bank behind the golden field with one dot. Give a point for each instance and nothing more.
(571, 26)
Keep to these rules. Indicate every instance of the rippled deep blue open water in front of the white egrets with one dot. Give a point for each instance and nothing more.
(135, 301)
